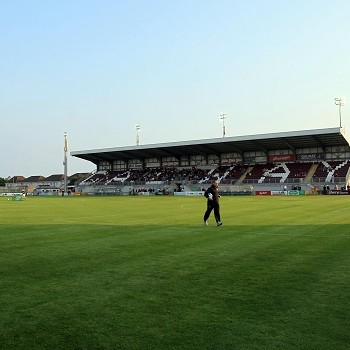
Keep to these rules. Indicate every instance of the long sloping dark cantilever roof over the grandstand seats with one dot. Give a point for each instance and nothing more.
(264, 142)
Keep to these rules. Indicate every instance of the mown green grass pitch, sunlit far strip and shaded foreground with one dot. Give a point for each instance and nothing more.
(145, 273)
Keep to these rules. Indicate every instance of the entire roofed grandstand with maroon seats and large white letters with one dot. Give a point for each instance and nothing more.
(309, 161)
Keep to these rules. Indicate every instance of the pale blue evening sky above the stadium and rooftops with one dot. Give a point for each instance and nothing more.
(96, 68)
